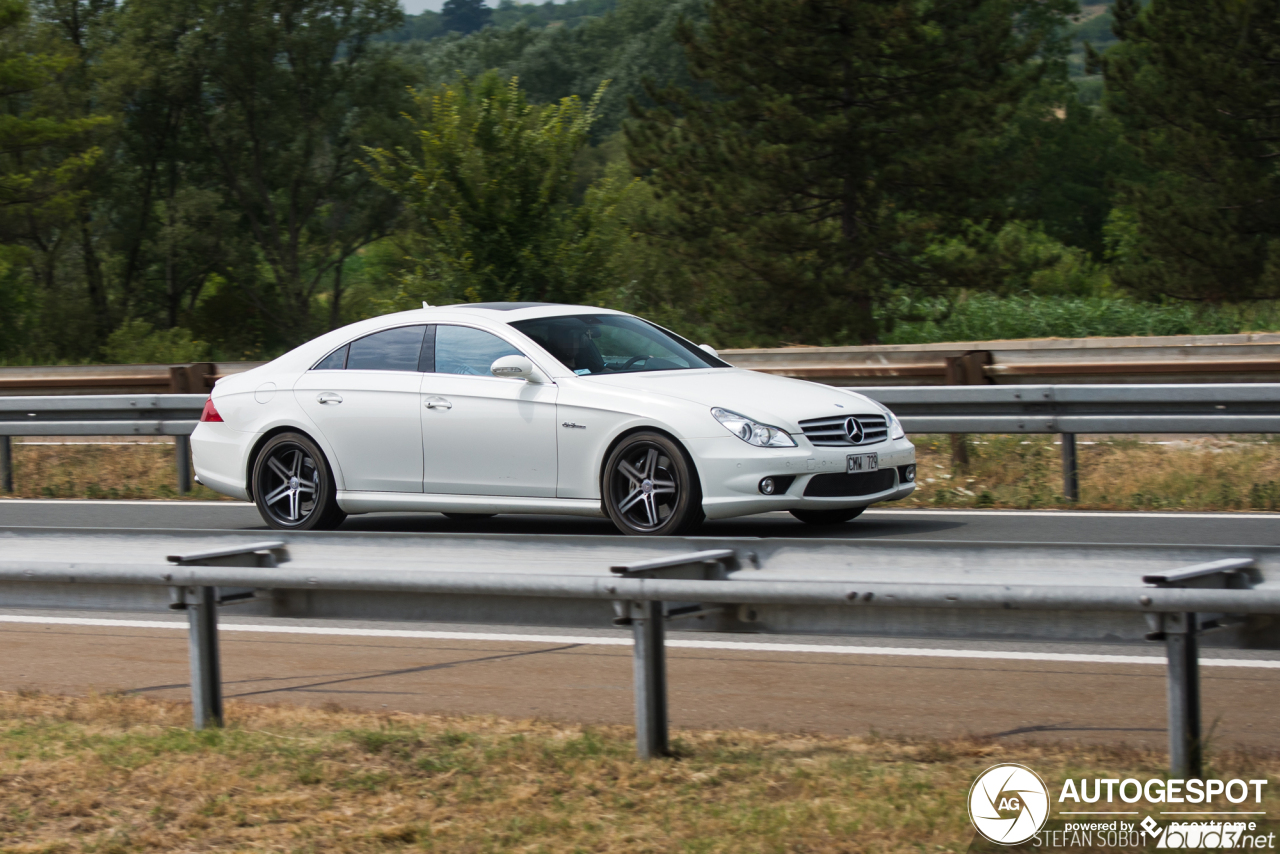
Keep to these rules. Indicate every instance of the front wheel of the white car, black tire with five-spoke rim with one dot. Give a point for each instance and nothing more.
(651, 487)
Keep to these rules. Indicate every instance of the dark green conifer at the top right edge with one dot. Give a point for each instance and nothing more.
(1195, 85)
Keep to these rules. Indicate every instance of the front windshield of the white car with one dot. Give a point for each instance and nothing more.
(614, 345)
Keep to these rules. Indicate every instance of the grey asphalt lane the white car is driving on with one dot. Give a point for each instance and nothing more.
(1009, 527)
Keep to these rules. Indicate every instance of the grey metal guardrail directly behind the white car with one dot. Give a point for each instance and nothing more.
(1067, 410)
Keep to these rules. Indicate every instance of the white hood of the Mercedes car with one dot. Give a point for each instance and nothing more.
(780, 401)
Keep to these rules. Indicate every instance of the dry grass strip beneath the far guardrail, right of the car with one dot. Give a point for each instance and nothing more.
(1117, 473)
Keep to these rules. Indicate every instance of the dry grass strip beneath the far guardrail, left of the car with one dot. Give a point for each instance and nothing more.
(145, 471)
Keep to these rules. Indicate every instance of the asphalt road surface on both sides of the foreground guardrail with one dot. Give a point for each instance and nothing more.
(924, 688)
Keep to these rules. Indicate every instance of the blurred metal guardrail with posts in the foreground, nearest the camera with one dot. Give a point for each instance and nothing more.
(1178, 604)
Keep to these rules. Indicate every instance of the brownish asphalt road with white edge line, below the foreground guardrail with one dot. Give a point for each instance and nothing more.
(845, 689)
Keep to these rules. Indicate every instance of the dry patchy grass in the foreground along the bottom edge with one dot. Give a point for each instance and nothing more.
(125, 775)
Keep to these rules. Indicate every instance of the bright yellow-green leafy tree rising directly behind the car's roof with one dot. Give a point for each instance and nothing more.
(490, 188)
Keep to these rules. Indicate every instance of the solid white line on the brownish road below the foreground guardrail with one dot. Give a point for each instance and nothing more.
(627, 642)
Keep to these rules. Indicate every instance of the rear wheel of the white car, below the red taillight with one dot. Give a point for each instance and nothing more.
(294, 486)
